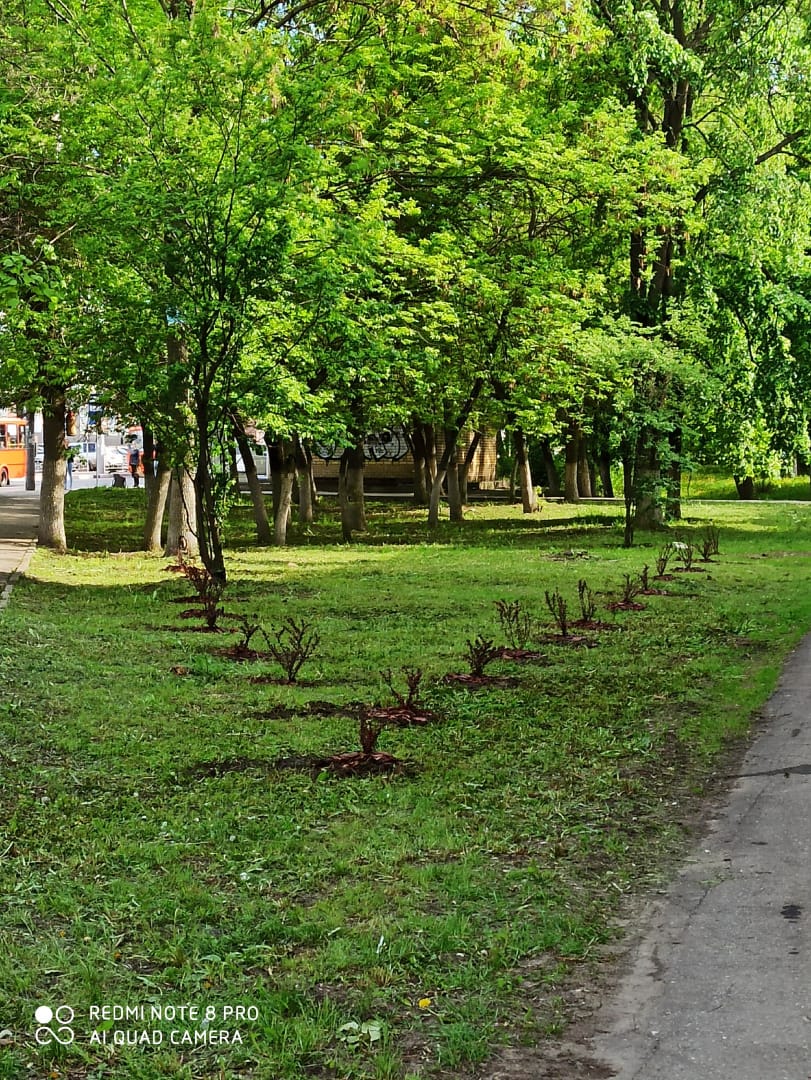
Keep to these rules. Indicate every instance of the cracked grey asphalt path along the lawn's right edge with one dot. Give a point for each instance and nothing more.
(720, 988)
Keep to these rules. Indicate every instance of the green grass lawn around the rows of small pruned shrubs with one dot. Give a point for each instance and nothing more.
(379, 928)
